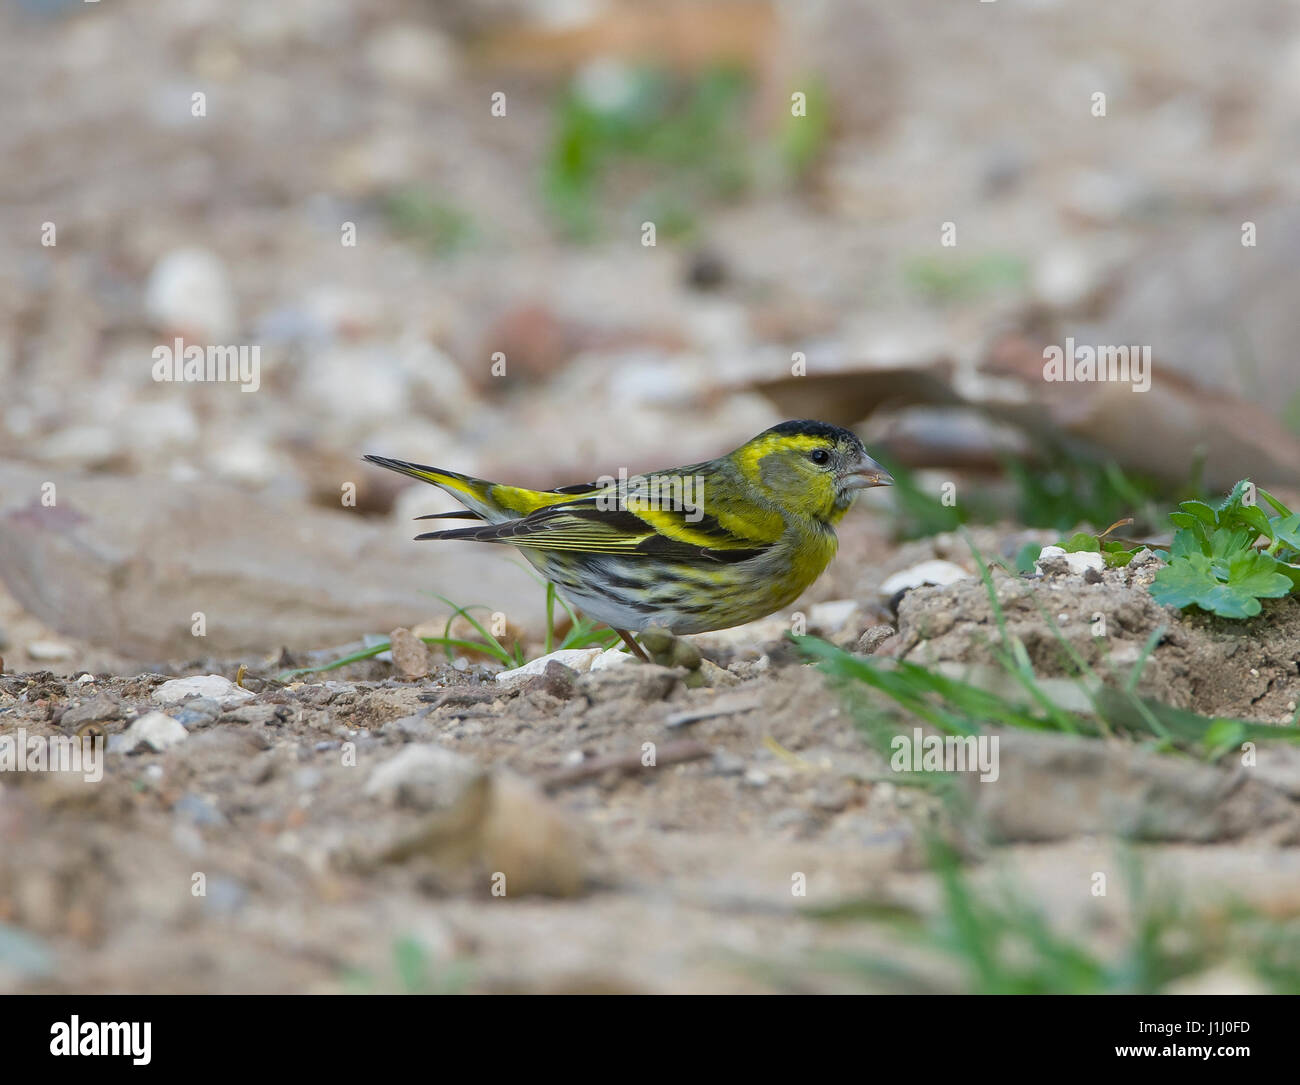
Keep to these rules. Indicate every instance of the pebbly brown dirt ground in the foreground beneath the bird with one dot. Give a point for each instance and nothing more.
(361, 832)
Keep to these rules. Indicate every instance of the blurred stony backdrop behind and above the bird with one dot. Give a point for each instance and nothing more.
(202, 171)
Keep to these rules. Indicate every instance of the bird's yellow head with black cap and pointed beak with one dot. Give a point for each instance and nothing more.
(812, 468)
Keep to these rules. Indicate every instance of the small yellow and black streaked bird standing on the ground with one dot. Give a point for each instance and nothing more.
(688, 550)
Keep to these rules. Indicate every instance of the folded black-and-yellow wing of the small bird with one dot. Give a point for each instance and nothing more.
(592, 526)
